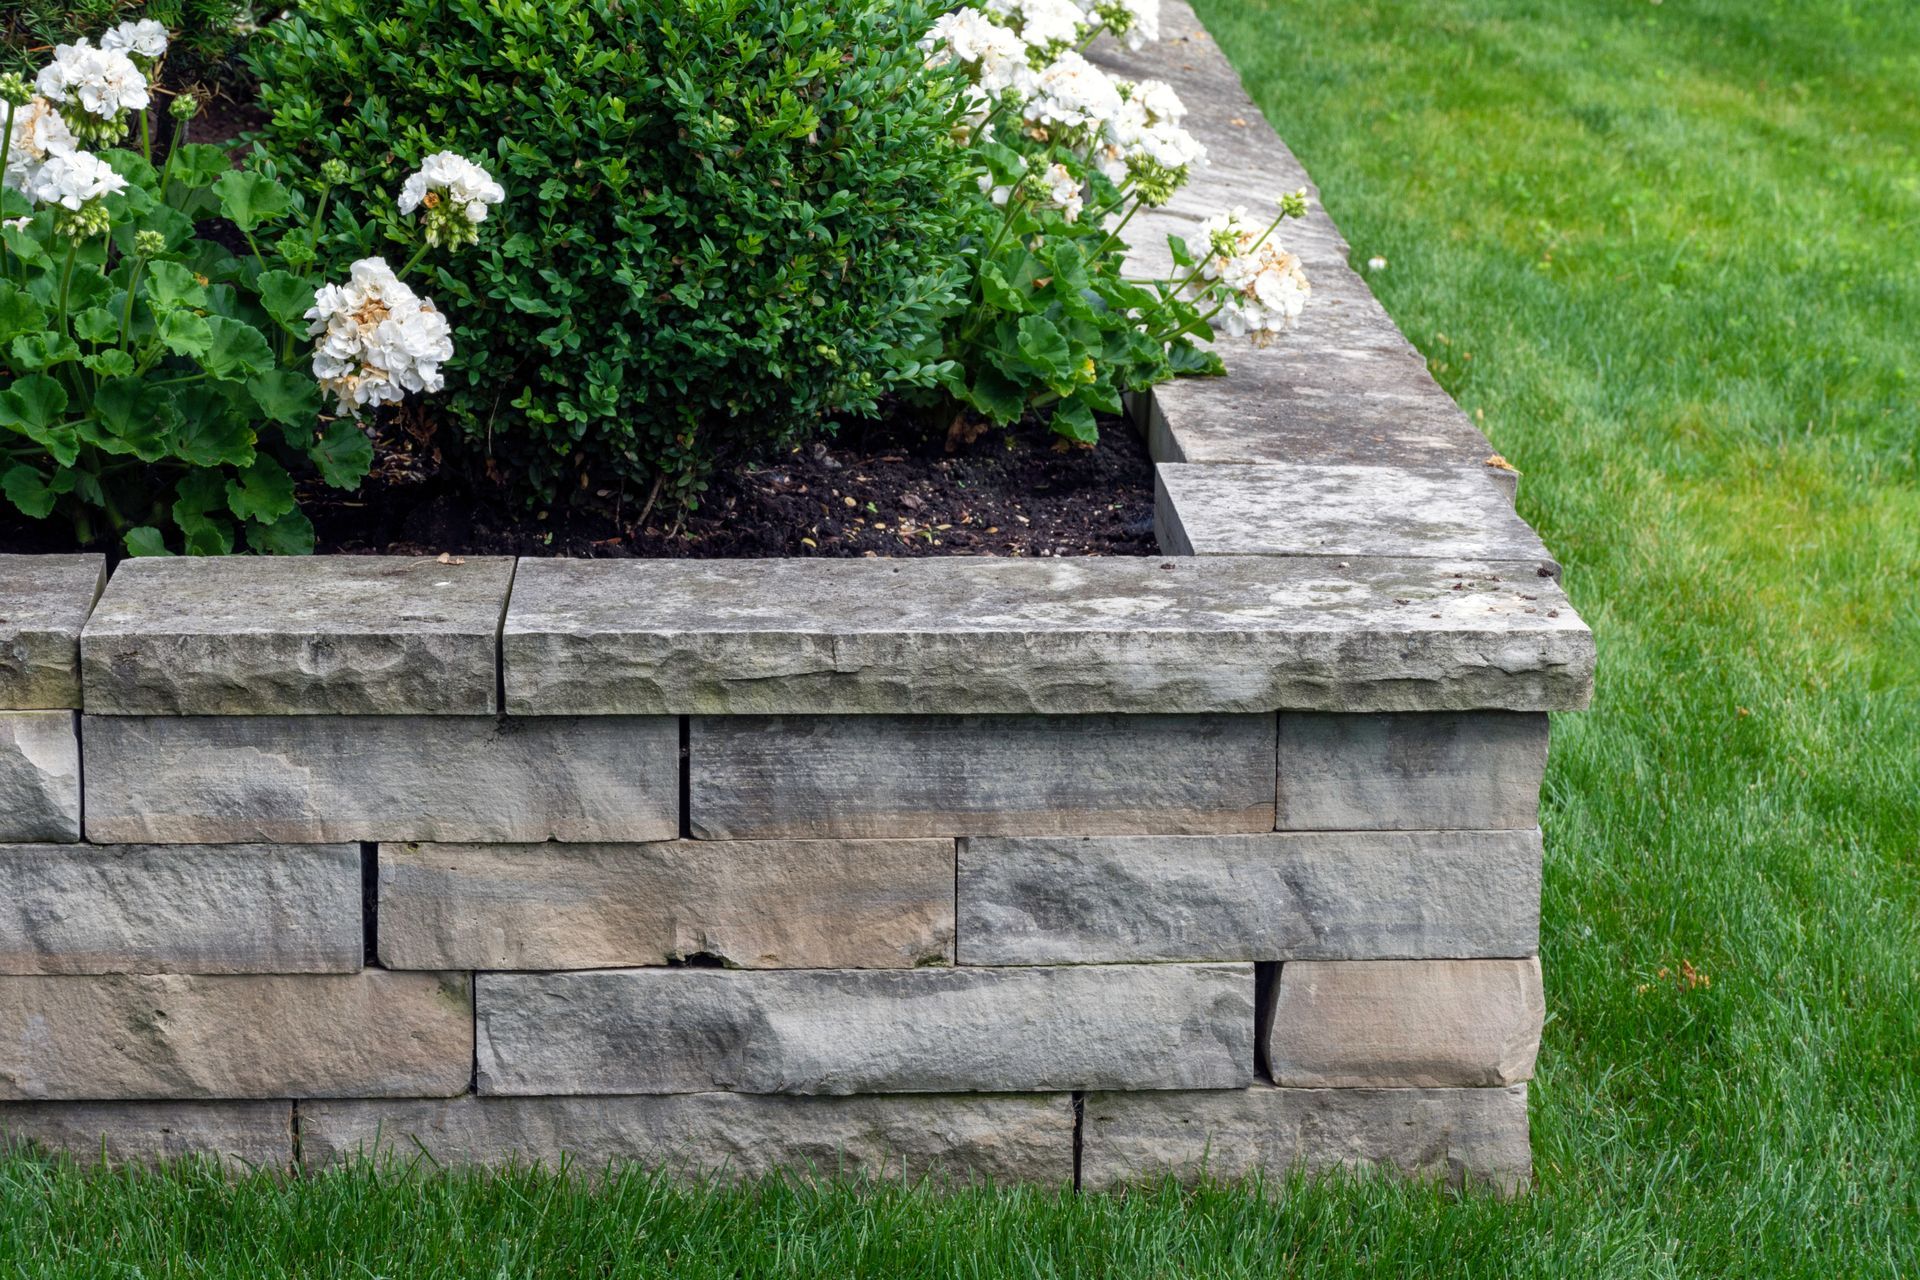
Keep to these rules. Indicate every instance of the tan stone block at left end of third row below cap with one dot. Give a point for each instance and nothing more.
(310, 1035)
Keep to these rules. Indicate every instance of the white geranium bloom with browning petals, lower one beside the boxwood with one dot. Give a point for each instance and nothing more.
(375, 339)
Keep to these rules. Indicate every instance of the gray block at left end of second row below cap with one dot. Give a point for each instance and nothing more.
(180, 909)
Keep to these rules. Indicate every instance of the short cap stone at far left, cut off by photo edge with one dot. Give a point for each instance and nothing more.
(43, 607)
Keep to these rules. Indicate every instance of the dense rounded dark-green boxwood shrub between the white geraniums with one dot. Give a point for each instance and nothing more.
(727, 220)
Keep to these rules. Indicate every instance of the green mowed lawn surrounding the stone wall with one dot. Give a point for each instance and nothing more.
(1669, 252)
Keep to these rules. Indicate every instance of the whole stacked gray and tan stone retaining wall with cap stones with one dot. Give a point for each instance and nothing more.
(1061, 872)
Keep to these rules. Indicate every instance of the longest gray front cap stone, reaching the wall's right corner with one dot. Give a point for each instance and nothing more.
(988, 636)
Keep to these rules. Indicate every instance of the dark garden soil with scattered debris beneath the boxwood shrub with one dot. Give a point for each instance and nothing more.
(875, 490)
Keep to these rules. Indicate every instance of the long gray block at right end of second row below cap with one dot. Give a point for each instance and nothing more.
(1330, 895)
